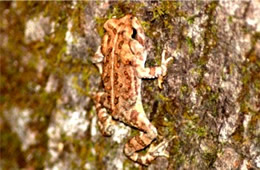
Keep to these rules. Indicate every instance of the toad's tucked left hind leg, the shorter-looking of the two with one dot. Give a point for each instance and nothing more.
(105, 121)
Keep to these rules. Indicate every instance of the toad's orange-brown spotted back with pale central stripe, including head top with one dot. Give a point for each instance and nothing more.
(119, 75)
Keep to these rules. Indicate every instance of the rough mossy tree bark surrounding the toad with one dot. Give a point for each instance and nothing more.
(210, 97)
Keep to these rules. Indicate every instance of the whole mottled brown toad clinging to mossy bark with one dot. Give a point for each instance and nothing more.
(121, 60)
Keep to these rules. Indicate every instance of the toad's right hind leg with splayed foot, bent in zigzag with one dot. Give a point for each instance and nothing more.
(139, 142)
